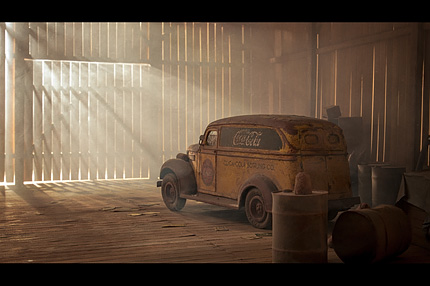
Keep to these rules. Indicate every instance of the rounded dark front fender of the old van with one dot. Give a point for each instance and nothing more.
(184, 173)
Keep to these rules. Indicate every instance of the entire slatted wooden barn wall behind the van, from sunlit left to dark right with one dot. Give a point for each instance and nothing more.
(114, 100)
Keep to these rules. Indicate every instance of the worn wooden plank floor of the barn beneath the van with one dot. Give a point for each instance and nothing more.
(127, 222)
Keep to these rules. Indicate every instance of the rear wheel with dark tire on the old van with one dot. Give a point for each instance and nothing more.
(256, 211)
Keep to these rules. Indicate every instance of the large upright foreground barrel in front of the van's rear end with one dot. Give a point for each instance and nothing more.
(299, 227)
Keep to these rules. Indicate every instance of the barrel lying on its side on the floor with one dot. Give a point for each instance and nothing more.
(371, 235)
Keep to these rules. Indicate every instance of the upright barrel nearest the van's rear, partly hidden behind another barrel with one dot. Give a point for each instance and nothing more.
(365, 181)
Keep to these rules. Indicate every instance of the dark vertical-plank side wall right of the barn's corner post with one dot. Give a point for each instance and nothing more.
(372, 70)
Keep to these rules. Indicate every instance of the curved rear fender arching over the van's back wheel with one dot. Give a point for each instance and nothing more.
(264, 184)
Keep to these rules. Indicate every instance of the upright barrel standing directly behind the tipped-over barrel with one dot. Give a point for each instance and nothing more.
(385, 184)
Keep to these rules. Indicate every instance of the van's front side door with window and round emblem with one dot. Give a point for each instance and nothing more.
(207, 162)
